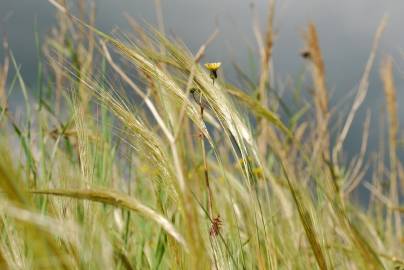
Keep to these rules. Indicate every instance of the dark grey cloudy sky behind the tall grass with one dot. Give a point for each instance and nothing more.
(345, 29)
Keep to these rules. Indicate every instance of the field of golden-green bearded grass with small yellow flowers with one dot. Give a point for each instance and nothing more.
(132, 155)
